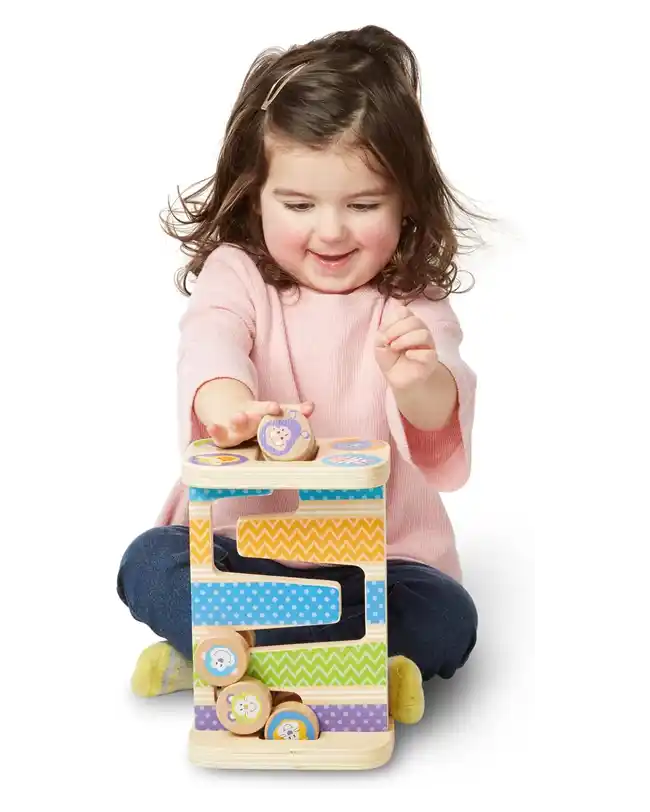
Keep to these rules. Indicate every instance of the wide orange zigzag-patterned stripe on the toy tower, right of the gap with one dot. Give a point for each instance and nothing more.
(316, 540)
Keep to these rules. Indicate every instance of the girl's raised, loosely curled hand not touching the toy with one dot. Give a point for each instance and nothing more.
(405, 350)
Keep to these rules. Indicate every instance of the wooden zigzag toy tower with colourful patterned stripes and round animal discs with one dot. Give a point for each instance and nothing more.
(304, 706)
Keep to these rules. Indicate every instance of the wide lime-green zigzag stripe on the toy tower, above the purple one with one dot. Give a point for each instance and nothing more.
(362, 664)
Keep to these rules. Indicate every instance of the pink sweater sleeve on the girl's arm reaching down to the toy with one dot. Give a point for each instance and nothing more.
(217, 332)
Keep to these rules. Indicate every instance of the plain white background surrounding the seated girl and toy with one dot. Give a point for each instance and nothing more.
(537, 115)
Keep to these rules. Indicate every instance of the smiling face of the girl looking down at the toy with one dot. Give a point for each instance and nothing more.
(328, 220)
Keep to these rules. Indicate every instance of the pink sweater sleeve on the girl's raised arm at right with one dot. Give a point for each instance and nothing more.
(443, 456)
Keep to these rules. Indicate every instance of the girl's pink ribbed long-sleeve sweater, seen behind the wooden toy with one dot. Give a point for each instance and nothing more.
(320, 347)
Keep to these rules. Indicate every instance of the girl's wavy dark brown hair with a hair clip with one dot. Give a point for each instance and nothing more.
(363, 83)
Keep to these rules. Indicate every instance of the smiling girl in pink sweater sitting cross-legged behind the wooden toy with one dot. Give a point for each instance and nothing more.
(323, 253)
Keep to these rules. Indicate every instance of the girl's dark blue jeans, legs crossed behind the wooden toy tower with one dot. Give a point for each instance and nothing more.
(431, 617)
